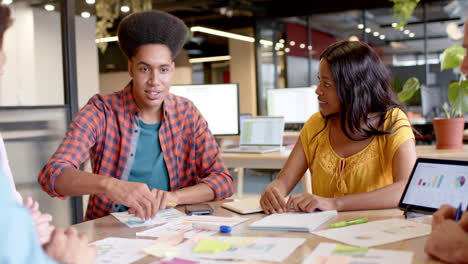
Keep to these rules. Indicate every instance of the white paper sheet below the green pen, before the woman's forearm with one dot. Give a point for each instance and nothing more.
(376, 232)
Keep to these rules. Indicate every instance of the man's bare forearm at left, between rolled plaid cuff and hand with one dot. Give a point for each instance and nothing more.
(74, 182)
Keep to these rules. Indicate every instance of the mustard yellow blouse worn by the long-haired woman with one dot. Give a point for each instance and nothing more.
(365, 171)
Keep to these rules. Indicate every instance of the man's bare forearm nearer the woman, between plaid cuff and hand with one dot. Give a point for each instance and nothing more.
(198, 193)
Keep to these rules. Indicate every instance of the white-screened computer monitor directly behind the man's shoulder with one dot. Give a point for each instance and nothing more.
(218, 103)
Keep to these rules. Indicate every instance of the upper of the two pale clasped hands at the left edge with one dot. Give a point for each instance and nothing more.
(41, 221)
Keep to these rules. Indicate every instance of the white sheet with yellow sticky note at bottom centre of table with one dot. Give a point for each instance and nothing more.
(275, 249)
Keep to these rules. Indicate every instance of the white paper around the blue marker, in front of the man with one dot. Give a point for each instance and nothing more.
(184, 225)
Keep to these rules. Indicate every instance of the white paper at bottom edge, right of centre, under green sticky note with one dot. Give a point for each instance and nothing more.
(327, 253)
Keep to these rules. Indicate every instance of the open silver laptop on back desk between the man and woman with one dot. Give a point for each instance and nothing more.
(260, 134)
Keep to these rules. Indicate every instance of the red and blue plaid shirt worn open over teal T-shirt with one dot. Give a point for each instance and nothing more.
(104, 129)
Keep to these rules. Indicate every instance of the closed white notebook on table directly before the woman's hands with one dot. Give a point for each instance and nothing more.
(306, 222)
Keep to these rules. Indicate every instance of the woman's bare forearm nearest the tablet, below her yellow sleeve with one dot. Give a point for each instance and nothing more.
(385, 197)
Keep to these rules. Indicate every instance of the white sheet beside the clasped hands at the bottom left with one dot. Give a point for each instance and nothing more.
(120, 250)
